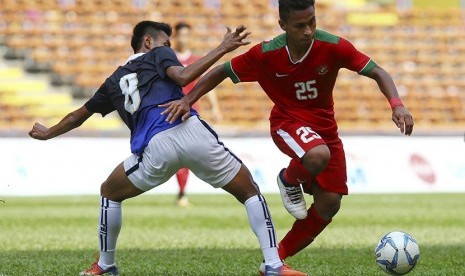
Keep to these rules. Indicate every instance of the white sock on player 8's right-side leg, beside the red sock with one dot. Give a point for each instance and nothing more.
(262, 225)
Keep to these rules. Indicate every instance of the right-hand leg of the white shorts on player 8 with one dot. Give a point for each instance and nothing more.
(207, 157)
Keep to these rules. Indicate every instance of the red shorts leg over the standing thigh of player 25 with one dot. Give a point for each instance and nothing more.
(334, 177)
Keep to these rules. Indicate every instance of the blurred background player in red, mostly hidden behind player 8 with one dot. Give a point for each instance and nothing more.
(184, 54)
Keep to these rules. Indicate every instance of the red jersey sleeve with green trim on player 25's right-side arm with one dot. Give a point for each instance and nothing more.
(353, 59)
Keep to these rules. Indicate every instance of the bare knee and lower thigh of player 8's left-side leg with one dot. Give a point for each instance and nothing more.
(118, 187)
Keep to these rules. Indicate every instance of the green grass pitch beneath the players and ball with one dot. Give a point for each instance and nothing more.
(57, 235)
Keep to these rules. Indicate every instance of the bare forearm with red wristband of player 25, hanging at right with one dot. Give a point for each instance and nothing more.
(400, 115)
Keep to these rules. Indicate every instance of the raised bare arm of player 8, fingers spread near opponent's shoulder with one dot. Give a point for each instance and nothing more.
(231, 41)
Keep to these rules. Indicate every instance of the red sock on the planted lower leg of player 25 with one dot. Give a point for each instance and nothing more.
(302, 233)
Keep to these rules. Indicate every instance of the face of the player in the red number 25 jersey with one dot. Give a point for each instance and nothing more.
(300, 27)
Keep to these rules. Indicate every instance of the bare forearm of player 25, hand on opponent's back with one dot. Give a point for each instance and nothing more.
(181, 107)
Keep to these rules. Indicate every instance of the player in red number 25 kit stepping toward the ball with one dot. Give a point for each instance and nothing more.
(298, 71)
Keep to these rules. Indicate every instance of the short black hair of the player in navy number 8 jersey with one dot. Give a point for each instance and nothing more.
(151, 28)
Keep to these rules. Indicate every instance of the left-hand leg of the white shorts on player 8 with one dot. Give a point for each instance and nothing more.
(158, 163)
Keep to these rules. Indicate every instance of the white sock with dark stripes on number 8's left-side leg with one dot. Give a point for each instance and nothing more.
(110, 221)
